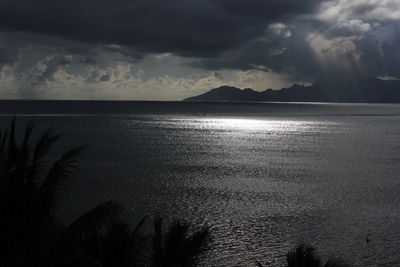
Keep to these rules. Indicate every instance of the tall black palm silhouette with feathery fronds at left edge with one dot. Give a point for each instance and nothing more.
(29, 194)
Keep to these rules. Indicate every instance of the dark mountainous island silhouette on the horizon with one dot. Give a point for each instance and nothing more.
(371, 90)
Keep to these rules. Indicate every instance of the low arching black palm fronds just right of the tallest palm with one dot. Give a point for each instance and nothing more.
(102, 237)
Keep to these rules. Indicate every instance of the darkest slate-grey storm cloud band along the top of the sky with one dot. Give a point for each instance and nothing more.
(192, 28)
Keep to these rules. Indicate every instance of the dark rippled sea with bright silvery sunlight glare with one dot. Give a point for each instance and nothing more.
(264, 177)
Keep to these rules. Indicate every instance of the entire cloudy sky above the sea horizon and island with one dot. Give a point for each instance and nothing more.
(170, 50)
